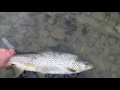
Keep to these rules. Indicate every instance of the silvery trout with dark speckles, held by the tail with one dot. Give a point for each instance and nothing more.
(49, 63)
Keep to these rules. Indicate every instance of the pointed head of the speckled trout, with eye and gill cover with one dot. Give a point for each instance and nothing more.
(80, 67)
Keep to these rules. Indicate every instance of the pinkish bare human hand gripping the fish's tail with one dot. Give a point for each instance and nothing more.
(5, 55)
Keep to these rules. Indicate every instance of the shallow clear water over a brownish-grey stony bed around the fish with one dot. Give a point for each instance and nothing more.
(94, 36)
